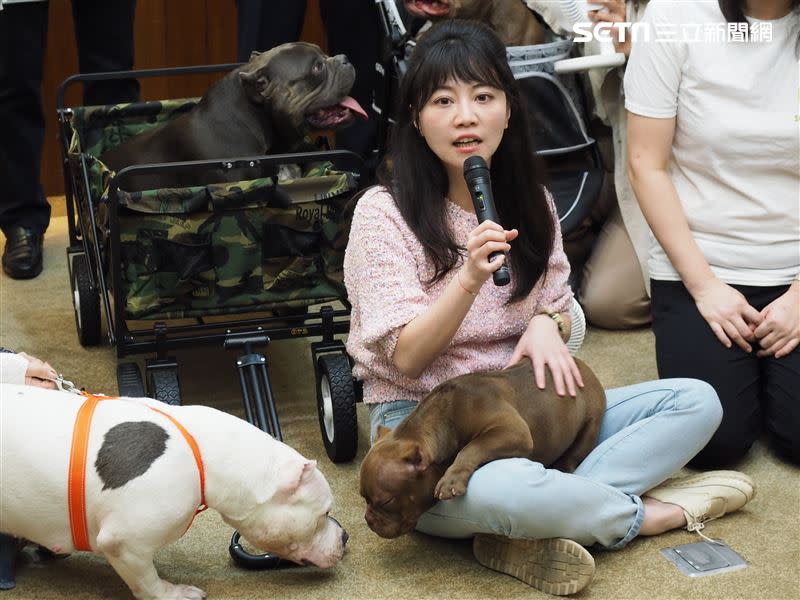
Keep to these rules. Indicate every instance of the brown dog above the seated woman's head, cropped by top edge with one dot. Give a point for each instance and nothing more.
(510, 19)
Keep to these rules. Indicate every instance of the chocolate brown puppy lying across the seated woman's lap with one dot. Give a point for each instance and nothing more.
(467, 422)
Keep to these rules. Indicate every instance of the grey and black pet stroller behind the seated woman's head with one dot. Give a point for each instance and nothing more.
(556, 103)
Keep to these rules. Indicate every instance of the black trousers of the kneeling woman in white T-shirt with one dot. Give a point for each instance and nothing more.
(755, 392)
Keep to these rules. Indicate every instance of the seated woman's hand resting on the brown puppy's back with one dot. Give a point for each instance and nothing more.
(542, 343)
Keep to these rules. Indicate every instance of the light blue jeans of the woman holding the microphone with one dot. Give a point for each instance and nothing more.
(649, 431)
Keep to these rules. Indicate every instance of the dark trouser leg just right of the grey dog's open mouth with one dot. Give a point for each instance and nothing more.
(342, 18)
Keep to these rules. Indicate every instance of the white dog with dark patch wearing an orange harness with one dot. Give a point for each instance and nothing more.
(143, 483)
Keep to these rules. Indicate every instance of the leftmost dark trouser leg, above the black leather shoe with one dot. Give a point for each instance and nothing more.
(23, 35)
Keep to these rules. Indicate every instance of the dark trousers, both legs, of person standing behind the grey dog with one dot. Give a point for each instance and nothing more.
(353, 30)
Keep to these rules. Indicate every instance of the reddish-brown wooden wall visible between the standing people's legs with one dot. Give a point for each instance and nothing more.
(168, 33)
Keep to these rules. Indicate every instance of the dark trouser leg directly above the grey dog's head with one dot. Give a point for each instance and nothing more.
(264, 25)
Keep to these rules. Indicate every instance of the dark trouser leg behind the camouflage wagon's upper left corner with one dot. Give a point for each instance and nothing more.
(104, 32)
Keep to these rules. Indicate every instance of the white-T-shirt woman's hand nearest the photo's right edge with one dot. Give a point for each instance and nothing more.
(779, 331)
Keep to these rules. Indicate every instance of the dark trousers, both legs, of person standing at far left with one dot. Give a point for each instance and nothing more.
(104, 33)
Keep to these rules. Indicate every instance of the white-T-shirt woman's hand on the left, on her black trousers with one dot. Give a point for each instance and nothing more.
(728, 313)
